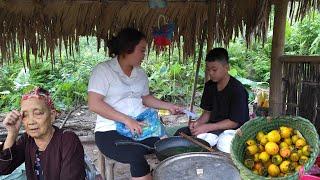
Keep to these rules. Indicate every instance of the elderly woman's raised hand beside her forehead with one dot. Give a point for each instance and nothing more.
(12, 122)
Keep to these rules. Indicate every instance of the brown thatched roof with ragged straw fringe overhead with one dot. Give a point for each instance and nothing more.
(39, 26)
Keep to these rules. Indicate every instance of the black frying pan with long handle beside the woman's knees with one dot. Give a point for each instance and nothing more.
(168, 147)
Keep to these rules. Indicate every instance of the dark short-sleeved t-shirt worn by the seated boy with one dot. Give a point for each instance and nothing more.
(230, 103)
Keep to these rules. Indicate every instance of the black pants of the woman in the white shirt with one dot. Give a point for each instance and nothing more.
(129, 154)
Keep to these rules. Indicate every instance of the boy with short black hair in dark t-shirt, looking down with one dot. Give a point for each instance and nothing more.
(224, 100)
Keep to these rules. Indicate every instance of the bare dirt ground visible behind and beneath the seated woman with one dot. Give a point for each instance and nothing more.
(82, 122)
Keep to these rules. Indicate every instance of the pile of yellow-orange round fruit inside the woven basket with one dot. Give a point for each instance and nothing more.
(277, 153)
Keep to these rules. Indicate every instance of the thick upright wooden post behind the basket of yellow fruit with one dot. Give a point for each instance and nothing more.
(276, 100)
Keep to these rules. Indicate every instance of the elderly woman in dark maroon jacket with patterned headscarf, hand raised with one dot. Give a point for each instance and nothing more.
(48, 152)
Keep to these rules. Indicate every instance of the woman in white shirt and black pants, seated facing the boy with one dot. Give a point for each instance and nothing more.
(118, 90)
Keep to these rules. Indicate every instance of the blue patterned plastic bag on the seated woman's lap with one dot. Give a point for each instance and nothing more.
(152, 126)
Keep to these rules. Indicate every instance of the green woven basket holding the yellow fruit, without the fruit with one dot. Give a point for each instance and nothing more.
(252, 127)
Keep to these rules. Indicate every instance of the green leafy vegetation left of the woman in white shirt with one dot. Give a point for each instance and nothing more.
(67, 82)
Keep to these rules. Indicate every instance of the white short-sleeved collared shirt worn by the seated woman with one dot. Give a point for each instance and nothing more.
(121, 92)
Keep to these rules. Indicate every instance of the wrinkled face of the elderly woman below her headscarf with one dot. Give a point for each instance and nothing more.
(37, 117)
